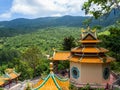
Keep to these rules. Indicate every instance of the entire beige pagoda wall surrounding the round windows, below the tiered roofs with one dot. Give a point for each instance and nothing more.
(89, 73)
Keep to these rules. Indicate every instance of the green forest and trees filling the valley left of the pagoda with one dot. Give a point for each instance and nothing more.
(23, 52)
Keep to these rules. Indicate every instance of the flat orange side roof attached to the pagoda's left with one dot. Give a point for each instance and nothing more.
(61, 56)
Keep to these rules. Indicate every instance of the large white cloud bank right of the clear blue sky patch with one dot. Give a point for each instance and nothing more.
(46, 7)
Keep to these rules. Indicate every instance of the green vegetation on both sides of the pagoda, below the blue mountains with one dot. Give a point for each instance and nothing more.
(26, 52)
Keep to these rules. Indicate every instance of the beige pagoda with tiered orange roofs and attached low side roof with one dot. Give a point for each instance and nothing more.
(88, 62)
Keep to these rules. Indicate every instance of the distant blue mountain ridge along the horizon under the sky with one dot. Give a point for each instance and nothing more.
(22, 25)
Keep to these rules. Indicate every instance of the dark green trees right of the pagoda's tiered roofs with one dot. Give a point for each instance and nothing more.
(112, 41)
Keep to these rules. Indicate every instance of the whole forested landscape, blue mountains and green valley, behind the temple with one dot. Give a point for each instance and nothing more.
(20, 38)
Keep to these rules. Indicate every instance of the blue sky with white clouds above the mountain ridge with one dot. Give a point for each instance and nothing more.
(11, 9)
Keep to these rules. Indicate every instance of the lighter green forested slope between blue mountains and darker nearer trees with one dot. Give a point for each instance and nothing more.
(45, 39)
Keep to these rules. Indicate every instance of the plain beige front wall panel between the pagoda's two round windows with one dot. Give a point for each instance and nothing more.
(91, 73)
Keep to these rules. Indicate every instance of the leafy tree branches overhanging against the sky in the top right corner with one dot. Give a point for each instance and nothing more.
(100, 7)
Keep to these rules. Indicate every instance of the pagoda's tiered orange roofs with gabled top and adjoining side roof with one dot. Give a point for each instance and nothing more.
(88, 52)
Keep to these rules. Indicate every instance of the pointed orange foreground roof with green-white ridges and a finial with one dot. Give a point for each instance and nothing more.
(52, 82)
